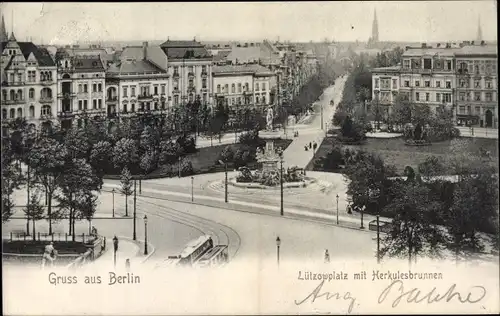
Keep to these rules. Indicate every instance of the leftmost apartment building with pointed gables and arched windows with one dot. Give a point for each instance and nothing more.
(28, 83)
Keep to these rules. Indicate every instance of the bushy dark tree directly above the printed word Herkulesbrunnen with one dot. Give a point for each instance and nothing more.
(412, 231)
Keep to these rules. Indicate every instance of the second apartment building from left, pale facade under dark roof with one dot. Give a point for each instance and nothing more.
(81, 88)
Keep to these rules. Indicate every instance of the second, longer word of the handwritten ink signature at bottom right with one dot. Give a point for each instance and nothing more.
(415, 295)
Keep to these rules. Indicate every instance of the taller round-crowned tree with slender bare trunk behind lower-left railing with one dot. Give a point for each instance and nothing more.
(48, 161)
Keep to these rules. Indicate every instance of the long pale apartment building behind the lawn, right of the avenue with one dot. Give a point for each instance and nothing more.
(461, 78)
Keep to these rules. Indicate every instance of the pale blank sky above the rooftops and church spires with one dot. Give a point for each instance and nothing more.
(412, 21)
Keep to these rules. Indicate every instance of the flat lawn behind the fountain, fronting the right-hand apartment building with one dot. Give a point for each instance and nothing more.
(395, 152)
